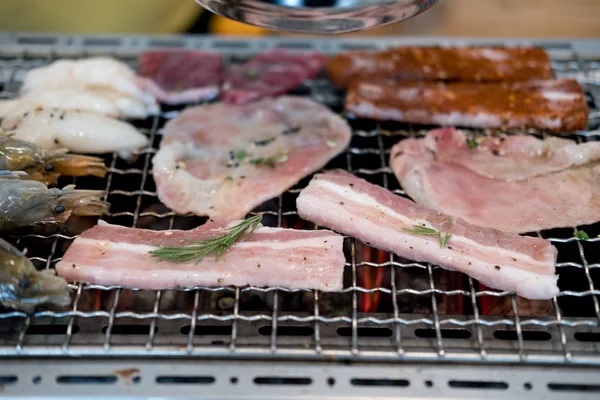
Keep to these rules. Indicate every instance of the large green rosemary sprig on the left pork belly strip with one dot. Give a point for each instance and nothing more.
(200, 249)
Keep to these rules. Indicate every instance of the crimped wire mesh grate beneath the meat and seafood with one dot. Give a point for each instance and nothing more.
(417, 311)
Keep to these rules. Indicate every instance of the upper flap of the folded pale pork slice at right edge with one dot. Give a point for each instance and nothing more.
(509, 158)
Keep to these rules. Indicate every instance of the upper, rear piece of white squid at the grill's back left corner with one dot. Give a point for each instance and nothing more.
(103, 78)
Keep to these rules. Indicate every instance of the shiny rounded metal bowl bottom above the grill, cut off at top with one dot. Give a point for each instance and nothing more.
(317, 16)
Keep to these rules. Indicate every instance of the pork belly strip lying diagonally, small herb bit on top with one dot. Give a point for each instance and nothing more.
(376, 216)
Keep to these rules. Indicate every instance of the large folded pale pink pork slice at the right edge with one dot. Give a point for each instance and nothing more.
(564, 198)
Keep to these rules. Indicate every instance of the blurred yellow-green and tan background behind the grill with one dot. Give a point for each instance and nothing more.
(483, 18)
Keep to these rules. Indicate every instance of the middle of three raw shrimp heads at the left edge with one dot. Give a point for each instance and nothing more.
(24, 202)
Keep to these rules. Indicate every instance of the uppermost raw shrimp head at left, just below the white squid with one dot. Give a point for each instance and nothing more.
(46, 165)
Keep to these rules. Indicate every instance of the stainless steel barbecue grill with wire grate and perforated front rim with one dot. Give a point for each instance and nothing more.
(398, 328)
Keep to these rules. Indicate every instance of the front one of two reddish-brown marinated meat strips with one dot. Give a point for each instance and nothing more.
(558, 105)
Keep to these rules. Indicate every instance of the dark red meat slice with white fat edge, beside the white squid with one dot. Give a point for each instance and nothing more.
(182, 76)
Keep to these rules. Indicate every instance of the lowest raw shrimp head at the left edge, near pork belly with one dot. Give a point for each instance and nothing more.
(23, 287)
